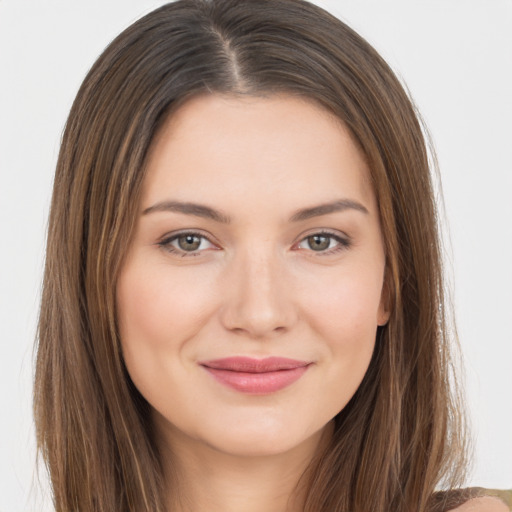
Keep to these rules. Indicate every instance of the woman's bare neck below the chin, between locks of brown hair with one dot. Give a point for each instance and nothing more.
(203, 478)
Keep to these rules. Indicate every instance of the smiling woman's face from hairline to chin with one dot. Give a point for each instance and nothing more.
(250, 297)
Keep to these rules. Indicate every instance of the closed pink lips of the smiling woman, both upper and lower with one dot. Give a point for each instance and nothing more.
(256, 376)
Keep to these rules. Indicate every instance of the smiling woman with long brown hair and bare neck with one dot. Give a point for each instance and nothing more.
(242, 305)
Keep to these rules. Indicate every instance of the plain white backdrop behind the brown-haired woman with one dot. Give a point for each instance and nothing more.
(455, 57)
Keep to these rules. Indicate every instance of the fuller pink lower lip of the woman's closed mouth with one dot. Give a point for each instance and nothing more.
(257, 383)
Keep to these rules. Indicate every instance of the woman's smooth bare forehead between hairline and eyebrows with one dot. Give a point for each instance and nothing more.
(281, 146)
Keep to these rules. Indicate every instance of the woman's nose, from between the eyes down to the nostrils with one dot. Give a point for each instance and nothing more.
(258, 299)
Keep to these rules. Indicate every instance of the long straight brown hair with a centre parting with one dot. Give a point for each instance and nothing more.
(401, 434)
